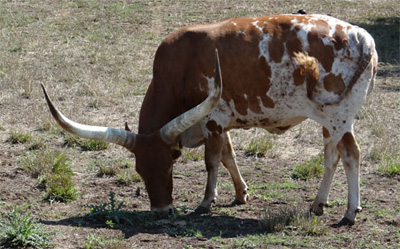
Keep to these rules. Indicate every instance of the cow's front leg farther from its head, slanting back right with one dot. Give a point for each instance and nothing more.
(229, 161)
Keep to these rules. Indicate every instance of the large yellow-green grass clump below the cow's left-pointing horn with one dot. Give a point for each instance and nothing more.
(53, 171)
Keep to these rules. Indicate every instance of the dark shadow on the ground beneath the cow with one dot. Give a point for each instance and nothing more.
(190, 224)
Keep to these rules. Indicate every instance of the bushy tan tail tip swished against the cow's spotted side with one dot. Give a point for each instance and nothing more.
(309, 70)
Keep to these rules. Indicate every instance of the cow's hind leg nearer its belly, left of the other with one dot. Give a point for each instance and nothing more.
(331, 160)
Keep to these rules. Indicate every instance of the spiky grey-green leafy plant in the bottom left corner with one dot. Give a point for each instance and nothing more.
(22, 231)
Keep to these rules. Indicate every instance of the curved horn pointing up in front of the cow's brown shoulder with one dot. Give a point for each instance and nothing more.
(178, 125)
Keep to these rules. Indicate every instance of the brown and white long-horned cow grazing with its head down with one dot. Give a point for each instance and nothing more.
(277, 71)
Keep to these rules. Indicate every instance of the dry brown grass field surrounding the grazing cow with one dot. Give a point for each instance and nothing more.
(95, 57)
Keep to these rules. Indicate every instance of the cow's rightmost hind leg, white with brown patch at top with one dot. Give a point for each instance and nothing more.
(350, 153)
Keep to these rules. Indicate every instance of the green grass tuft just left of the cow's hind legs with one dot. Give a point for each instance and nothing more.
(313, 168)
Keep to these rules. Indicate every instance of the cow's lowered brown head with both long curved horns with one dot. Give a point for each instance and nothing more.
(153, 152)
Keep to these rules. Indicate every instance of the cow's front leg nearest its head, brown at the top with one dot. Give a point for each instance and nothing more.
(213, 149)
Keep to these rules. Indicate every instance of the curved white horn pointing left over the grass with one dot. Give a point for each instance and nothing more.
(106, 134)
